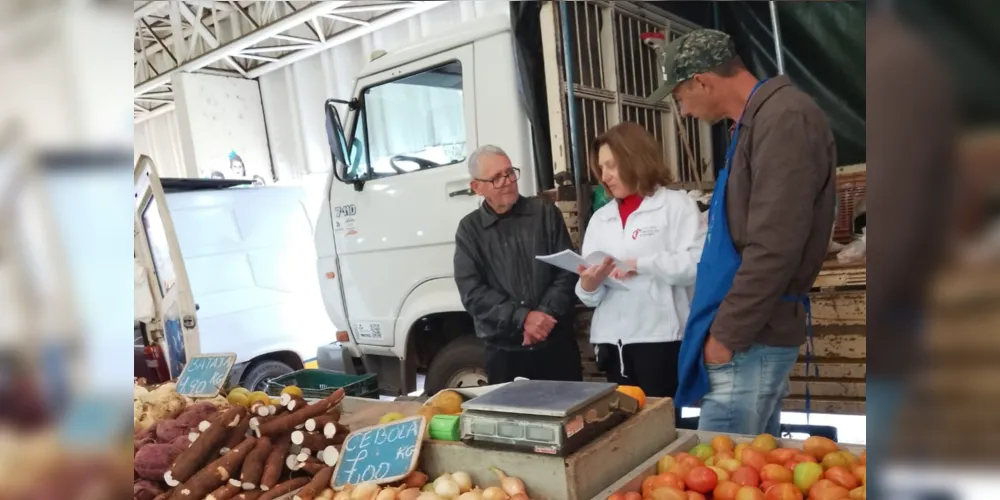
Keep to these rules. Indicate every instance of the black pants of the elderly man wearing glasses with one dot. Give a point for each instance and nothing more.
(559, 360)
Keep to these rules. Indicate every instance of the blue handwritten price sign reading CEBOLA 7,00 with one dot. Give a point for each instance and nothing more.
(380, 454)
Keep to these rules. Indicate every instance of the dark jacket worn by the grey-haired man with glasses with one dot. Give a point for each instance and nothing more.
(499, 279)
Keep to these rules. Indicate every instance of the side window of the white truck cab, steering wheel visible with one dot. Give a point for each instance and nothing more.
(413, 123)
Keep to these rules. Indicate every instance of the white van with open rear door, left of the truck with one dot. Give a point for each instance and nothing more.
(231, 269)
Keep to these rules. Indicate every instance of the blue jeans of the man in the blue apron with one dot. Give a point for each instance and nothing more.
(745, 394)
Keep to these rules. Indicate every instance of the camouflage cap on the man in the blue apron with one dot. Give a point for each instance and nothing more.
(699, 51)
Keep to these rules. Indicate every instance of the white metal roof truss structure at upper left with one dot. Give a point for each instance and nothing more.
(243, 39)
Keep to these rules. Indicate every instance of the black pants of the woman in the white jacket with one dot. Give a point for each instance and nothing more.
(651, 367)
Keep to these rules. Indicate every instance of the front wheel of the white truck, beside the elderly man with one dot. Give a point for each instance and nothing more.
(461, 363)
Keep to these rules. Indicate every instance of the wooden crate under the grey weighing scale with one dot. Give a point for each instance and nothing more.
(580, 475)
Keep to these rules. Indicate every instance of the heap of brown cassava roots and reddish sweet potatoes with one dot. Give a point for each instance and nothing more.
(262, 452)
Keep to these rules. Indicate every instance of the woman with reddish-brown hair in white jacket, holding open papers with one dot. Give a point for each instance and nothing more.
(656, 235)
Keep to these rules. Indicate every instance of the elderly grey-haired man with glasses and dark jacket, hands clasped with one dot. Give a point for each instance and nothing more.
(522, 308)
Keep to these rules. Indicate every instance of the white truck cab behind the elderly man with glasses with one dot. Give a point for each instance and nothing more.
(400, 185)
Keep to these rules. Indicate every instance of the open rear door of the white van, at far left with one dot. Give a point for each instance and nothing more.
(176, 307)
